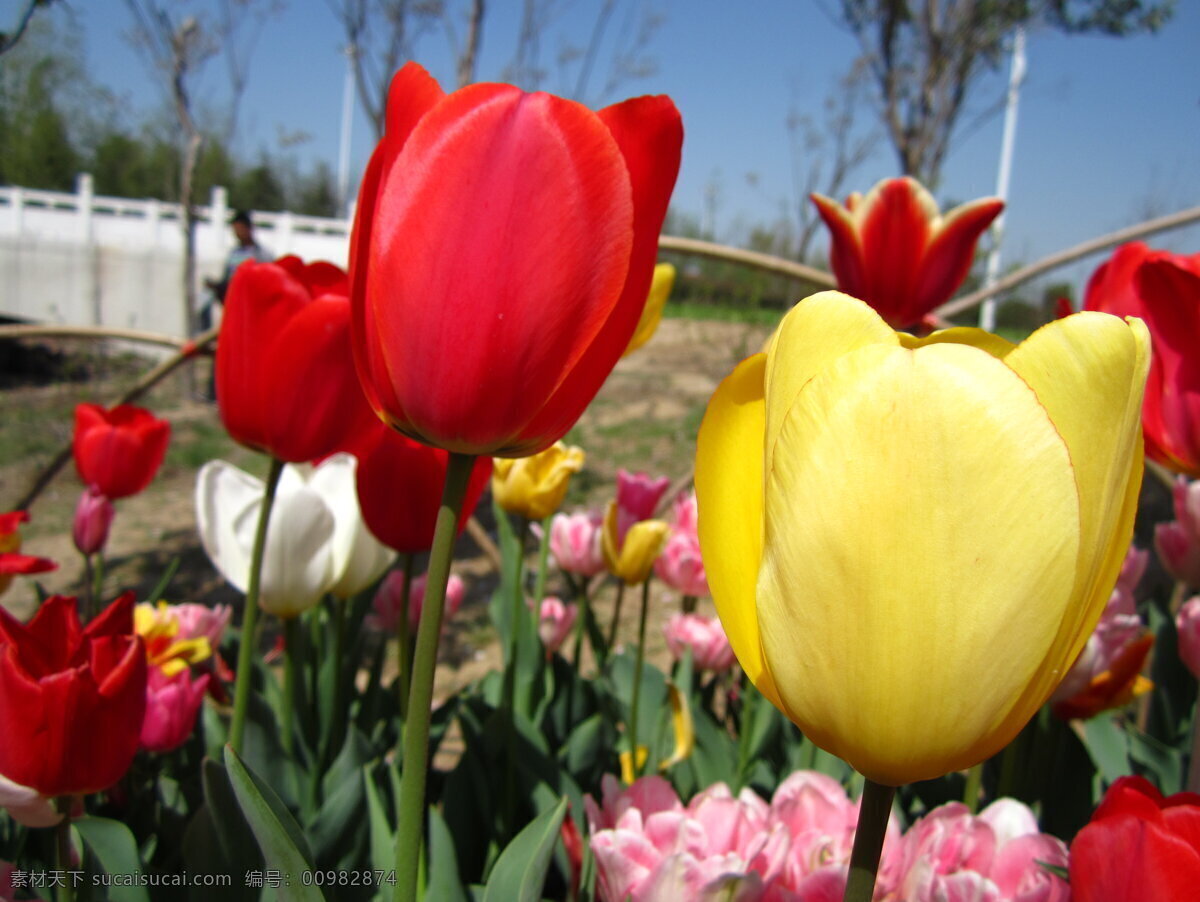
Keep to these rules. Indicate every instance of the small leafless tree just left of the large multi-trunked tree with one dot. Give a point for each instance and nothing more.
(827, 152)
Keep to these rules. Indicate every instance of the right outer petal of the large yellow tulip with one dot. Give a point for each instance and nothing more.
(1088, 372)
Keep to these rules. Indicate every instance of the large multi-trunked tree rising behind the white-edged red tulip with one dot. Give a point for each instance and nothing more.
(926, 58)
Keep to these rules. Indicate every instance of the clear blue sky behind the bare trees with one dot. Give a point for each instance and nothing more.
(1108, 135)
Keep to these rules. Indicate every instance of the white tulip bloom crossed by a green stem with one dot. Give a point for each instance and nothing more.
(316, 540)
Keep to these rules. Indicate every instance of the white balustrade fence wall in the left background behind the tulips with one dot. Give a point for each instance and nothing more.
(82, 260)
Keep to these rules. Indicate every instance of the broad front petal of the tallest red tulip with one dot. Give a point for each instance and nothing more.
(542, 280)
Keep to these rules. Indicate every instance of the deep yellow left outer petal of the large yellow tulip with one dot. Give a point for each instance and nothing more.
(729, 490)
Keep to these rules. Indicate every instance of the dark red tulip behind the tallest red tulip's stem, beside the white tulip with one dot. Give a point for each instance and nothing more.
(400, 489)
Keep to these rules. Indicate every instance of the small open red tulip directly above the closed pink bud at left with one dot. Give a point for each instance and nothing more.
(118, 452)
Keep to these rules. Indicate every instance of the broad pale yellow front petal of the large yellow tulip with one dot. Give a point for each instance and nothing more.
(945, 443)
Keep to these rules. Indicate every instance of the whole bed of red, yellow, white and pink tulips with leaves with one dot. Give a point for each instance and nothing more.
(938, 670)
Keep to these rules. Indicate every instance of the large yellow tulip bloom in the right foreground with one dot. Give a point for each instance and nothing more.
(909, 542)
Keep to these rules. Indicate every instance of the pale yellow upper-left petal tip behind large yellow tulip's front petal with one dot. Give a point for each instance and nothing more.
(815, 333)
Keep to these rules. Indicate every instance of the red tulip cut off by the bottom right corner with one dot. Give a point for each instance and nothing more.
(1139, 847)
